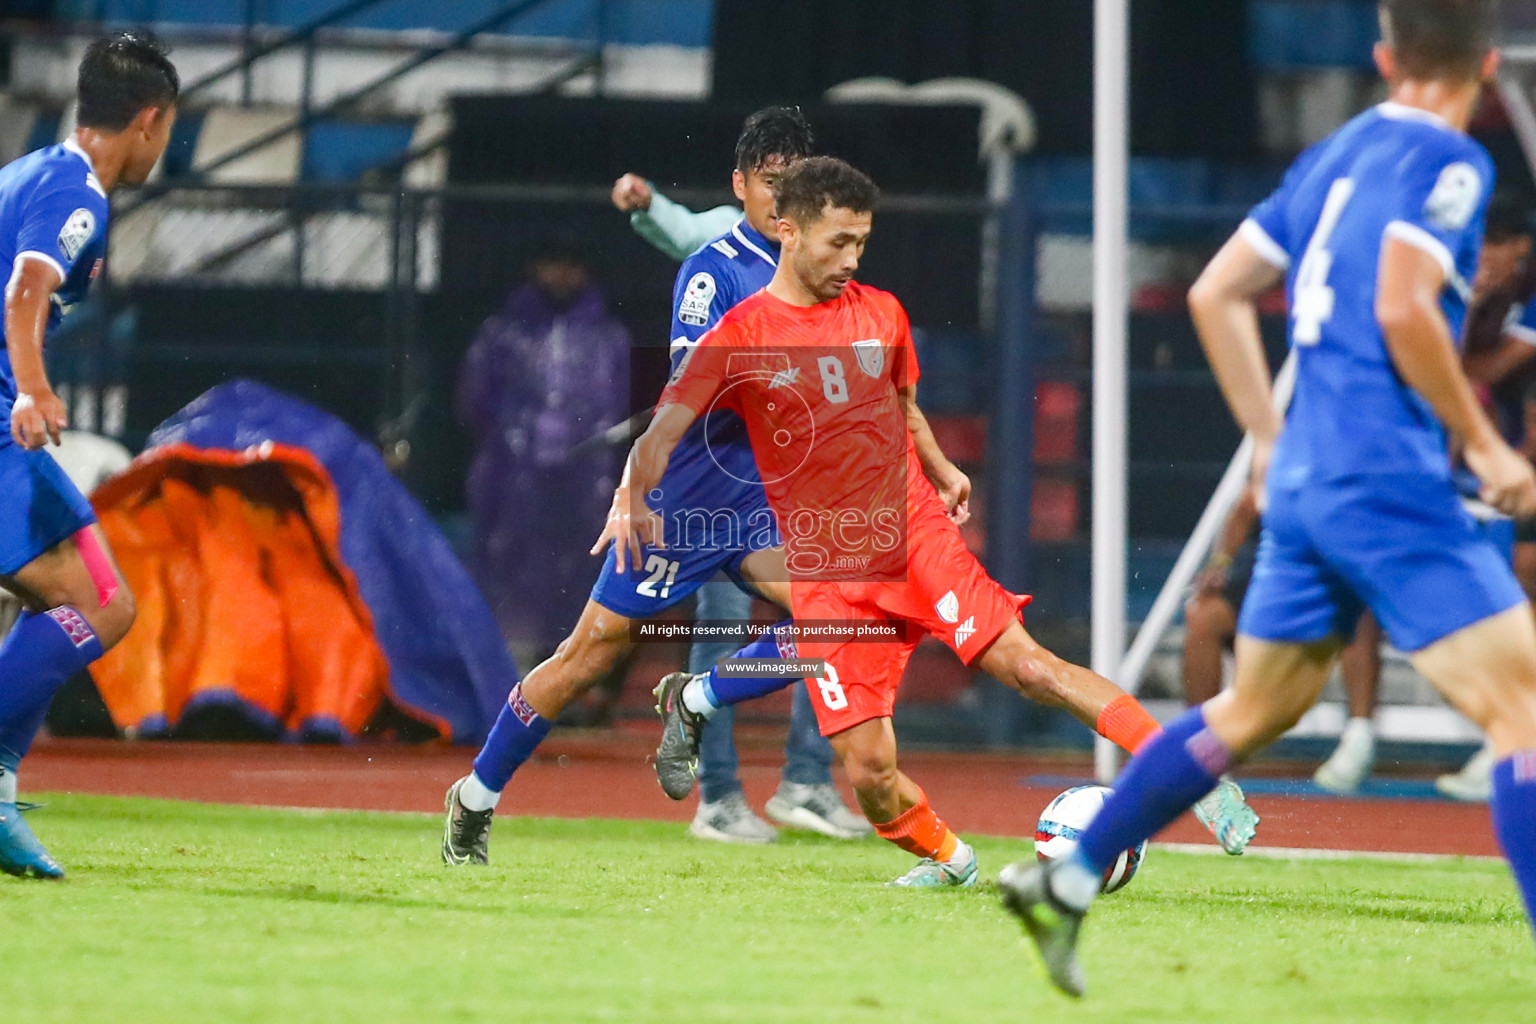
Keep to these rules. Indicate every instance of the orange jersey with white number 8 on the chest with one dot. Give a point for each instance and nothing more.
(818, 389)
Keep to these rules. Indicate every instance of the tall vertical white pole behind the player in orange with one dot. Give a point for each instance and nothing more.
(1111, 320)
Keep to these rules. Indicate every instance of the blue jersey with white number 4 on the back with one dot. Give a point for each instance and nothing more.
(1392, 173)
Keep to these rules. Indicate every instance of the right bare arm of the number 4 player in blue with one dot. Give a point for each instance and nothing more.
(1423, 351)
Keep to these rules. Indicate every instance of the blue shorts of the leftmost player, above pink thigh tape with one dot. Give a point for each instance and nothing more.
(39, 507)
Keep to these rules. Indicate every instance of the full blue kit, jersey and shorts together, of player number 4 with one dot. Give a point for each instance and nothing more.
(1363, 512)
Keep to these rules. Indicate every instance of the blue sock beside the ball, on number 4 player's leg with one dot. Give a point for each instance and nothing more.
(1170, 775)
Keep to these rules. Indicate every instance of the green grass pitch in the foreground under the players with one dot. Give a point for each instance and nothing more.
(197, 913)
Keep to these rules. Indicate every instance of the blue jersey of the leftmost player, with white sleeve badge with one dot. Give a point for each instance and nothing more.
(53, 210)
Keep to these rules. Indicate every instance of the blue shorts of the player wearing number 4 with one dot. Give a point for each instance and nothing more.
(1402, 546)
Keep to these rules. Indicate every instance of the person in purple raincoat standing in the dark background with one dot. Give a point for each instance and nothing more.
(546, 372)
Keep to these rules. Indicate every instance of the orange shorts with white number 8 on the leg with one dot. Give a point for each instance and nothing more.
(945, 595)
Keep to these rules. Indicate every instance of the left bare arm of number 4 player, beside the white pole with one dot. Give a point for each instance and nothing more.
(1226, 320)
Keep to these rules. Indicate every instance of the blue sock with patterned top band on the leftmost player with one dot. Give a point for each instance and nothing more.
(41, 655)
